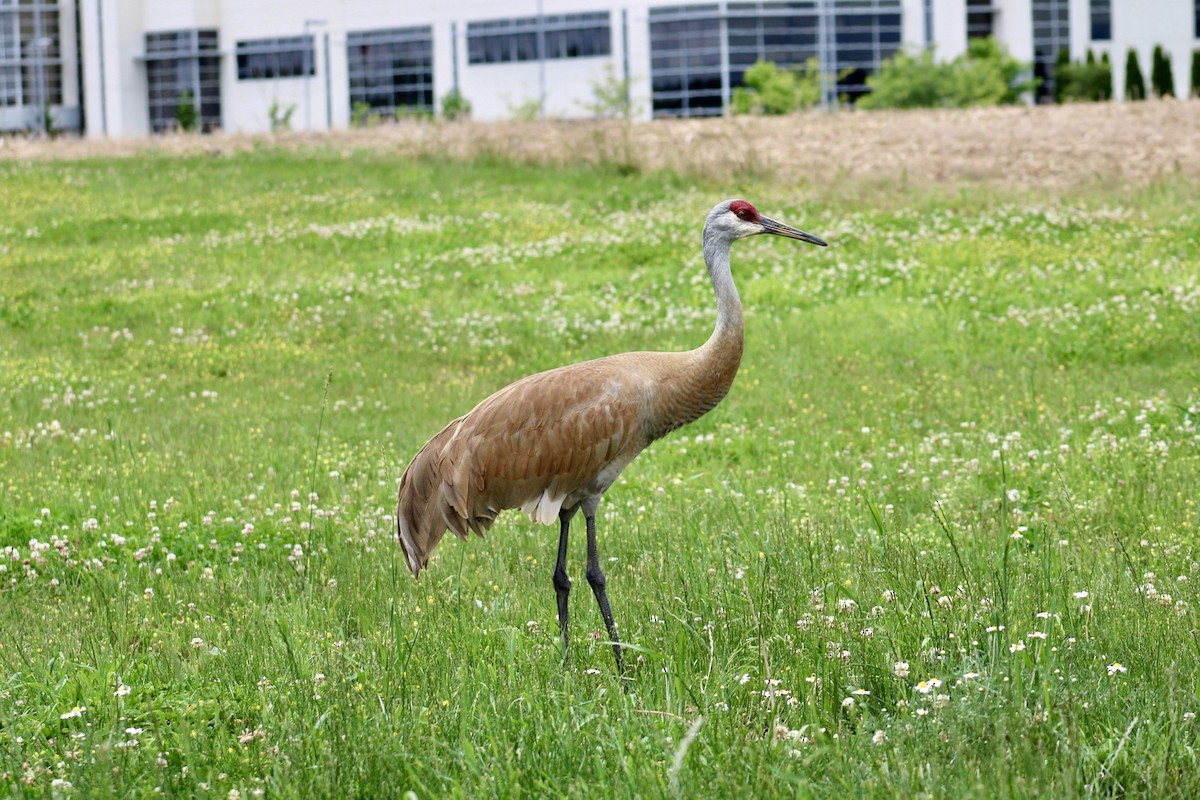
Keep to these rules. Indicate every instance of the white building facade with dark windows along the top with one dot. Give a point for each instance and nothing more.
(135, 68)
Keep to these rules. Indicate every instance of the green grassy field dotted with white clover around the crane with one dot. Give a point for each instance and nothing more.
(939, 542)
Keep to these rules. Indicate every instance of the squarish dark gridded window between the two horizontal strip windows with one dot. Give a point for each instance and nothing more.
(392, 69)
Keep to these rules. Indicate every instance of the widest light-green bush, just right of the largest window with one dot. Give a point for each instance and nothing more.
(987, 75)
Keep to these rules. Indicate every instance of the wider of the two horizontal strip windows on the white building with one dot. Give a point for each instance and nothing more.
(561, 37)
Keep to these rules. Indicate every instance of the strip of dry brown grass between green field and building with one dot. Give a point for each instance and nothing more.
(1042, 148)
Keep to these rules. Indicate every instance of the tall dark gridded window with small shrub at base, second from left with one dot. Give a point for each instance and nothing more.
(183, 67)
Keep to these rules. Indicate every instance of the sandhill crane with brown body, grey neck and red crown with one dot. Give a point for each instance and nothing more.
(554, 443)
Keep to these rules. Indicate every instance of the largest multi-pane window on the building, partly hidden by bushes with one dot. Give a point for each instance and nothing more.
(848, 38)
